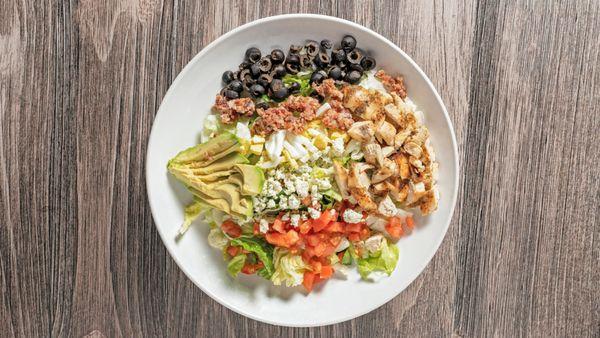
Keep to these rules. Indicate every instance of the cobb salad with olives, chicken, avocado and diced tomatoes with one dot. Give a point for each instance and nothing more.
(312, 162)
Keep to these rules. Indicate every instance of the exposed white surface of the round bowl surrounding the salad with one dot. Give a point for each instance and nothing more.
(177, 126)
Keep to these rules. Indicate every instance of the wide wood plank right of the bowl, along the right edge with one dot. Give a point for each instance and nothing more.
(525, 259)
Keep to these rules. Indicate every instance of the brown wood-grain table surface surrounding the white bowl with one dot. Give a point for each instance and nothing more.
(81, 81)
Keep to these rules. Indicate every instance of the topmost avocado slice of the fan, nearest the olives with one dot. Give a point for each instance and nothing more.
(210, 151)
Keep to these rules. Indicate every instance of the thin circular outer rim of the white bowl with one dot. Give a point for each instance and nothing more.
(224, 37)
